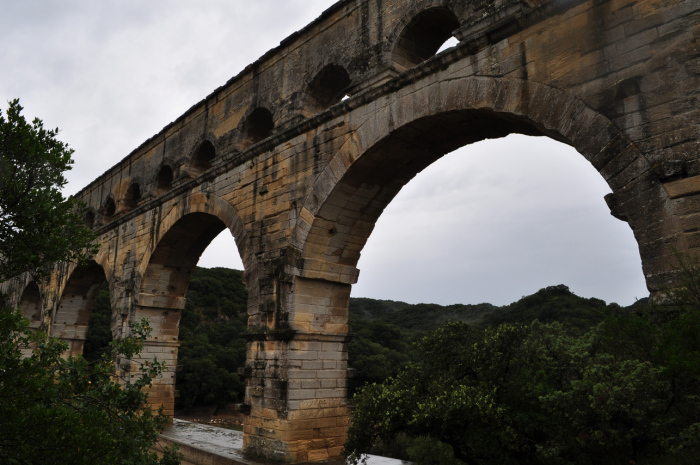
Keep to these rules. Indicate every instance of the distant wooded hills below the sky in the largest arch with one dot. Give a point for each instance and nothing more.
(383, 330)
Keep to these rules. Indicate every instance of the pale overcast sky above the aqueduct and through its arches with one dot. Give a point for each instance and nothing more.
(489, 223)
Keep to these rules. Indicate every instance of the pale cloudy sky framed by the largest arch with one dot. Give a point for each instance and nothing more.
(498, 220)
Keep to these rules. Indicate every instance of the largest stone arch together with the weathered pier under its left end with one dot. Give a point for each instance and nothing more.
(389, 144)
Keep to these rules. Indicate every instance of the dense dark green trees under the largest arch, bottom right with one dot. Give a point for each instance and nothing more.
(534, 394)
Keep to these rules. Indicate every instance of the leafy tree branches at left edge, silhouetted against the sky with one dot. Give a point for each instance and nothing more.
(38, 226)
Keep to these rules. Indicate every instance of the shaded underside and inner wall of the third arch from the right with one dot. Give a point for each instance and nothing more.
(72, 316)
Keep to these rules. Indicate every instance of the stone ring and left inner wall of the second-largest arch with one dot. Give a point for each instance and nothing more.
(163, 276)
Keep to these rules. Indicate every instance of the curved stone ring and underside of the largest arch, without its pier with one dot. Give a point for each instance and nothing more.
(428, 123)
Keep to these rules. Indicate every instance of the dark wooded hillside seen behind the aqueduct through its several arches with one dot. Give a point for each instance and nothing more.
(383, 332)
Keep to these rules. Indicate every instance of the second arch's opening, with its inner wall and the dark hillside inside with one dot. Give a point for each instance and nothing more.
(176, 296)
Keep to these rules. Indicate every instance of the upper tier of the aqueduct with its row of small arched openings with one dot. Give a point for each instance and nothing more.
(419, 29)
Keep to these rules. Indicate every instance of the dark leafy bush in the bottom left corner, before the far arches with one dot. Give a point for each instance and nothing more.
(57, 411)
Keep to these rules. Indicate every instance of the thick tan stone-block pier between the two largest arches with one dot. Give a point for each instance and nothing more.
(297, 368)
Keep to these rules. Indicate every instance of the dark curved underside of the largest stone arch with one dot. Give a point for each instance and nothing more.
(376, 178)
